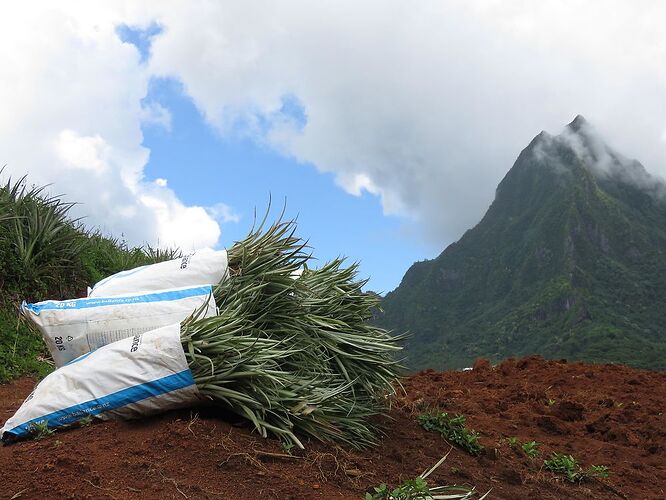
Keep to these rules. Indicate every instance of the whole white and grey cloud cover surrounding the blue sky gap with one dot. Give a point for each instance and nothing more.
(424, 104)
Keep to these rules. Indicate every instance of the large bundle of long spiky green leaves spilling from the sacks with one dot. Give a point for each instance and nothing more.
(292, 349)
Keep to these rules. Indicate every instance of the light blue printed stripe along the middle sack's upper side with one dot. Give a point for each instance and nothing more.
(117, 301)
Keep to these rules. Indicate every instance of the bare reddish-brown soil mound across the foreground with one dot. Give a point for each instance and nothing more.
(601, 414)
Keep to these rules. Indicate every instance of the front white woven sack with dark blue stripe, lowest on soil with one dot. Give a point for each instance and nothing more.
(130, 378)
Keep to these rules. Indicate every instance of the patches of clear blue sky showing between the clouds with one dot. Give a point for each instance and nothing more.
(205, 168)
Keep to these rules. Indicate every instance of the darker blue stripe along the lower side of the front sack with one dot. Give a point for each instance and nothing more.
(113, 401)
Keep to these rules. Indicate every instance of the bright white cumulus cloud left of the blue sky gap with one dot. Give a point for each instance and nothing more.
(72, 115)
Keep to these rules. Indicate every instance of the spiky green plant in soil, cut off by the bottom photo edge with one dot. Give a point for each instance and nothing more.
(418, 488)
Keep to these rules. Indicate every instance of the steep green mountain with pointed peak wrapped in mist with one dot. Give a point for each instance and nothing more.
(569, 261)
